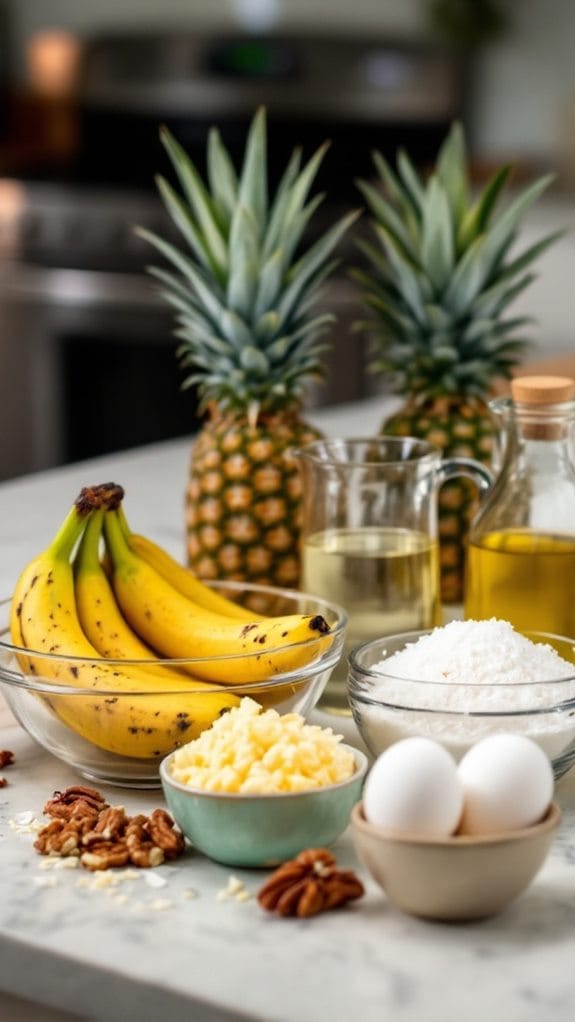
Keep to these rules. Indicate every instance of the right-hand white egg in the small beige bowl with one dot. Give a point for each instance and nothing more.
(508, 784)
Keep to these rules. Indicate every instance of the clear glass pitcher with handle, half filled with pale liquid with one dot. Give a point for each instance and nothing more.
(370, 536)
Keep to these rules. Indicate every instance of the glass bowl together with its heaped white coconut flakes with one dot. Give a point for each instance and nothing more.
(463, 682)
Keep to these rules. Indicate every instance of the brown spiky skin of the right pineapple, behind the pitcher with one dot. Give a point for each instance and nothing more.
(463, 429)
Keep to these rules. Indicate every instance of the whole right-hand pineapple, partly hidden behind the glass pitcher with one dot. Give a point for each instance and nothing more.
(439, 282)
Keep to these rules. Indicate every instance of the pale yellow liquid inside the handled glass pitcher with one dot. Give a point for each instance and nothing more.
(387, 579)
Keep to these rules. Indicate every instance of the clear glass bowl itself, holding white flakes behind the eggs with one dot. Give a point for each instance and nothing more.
(389, 709)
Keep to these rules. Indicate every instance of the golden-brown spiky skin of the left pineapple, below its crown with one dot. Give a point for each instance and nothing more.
(245, 499)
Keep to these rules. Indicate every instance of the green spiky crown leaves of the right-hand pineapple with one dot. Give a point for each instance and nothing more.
(443, 271)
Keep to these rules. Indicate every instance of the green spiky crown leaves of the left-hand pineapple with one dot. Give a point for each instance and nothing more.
(244, 287)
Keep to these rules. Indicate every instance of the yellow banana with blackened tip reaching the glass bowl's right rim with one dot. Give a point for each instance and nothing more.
(176, 627)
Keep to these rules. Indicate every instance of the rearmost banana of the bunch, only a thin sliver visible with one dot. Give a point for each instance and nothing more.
(182, 579)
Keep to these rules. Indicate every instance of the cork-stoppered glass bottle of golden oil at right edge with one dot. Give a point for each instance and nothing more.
(521, 555)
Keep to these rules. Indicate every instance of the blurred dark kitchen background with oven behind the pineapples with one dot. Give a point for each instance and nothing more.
(87, 357)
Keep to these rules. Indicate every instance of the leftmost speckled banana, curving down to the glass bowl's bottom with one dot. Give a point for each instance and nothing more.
(126, 711)
